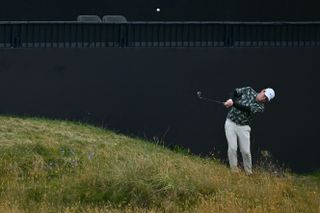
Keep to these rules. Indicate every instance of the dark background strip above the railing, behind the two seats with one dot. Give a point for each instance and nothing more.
(183, 10)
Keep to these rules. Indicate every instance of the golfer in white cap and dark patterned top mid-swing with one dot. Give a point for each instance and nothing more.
(244, 104)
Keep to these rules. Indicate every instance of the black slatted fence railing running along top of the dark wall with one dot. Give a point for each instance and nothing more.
(158, 34)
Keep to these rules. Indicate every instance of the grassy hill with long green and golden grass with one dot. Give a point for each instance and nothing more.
(59, 166)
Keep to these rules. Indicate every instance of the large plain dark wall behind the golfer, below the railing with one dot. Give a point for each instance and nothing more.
(152, 93)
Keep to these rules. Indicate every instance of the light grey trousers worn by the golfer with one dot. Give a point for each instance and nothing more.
(238, 134)
